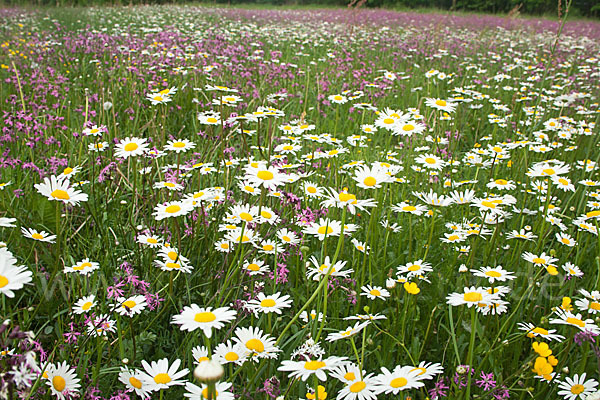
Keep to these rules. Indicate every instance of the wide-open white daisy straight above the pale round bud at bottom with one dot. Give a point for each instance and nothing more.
(194, 317)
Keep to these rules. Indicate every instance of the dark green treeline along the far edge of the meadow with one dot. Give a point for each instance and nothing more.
(579, 8)
